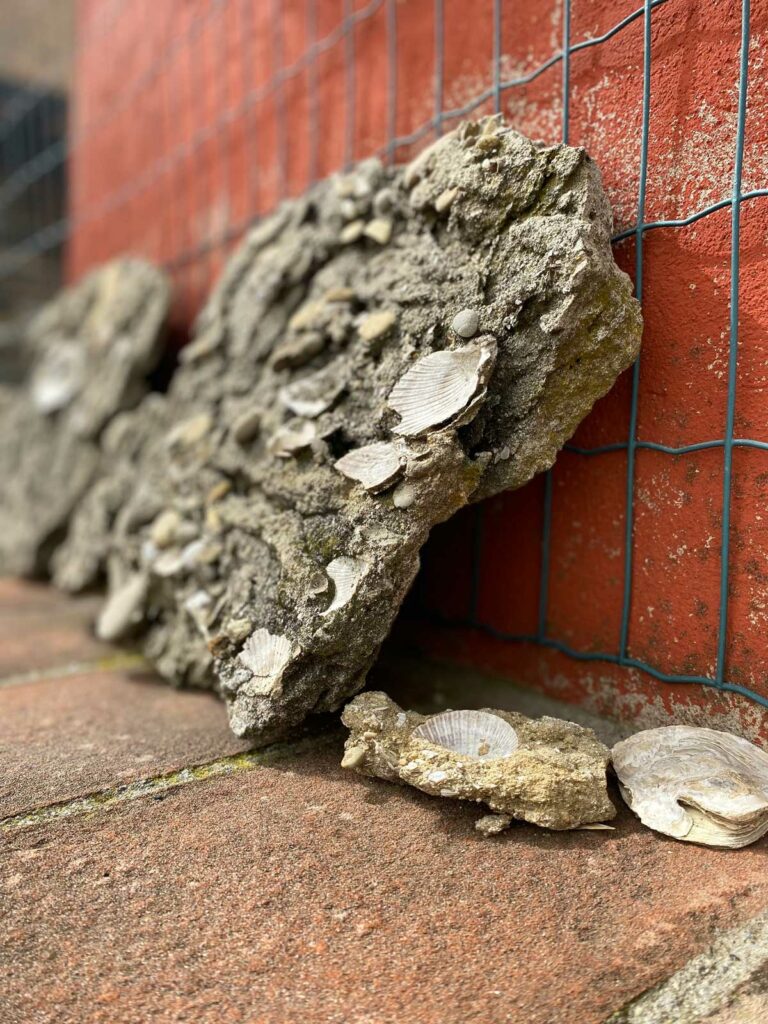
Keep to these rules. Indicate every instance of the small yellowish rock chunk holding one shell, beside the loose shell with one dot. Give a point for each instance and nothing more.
(552, 776)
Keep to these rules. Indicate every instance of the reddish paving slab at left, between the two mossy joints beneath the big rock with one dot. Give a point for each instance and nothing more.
(66, 738)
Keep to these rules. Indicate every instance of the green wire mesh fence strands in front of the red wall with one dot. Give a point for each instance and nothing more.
(33, 167)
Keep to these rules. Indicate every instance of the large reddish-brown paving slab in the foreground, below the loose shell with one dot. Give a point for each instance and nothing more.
(296, 892)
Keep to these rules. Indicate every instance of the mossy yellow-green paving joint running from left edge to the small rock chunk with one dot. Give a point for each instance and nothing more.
(155, 787)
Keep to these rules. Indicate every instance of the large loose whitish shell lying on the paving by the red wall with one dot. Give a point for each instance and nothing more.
(701, 786)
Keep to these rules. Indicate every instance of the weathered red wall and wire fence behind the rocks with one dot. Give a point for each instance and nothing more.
(634, 577)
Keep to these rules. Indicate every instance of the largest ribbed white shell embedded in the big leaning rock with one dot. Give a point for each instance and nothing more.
(438, 388)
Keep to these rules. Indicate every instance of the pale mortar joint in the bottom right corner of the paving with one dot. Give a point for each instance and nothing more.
(707, 984)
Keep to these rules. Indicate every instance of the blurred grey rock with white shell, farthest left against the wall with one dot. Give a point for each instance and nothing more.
(91, 352)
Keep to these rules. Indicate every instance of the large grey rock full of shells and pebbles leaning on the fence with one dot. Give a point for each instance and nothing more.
(396, 345)
